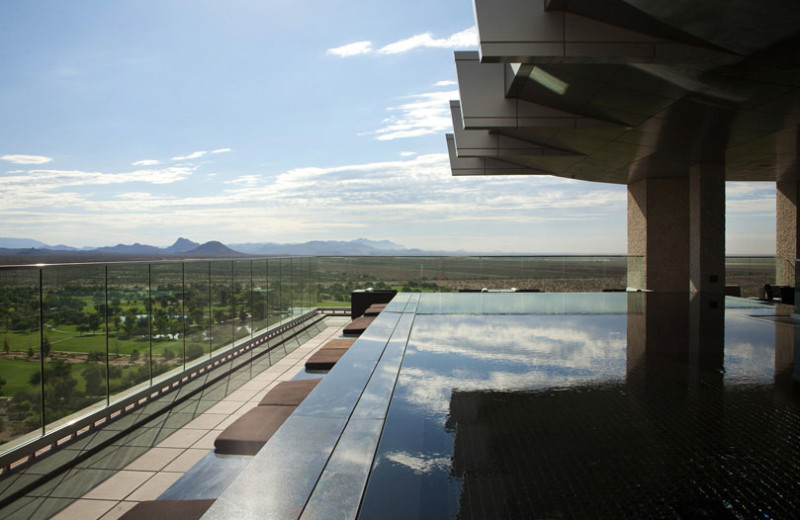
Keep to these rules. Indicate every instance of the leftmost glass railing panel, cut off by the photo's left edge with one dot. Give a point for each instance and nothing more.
(20, 361)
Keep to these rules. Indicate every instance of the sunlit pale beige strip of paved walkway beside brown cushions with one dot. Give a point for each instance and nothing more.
(147, 477)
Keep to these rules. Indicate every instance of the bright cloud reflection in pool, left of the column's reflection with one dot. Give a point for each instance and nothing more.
(508, 352)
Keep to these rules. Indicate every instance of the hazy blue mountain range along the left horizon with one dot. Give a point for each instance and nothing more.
(24, 250)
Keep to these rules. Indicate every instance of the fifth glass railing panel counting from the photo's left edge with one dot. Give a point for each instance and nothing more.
(197, 302)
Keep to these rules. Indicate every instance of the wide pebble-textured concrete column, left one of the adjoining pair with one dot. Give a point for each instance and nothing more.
(658, 234)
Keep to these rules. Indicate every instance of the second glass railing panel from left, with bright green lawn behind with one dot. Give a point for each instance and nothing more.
(73, 343)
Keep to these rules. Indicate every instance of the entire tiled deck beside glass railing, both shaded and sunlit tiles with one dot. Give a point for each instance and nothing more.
(150, 461)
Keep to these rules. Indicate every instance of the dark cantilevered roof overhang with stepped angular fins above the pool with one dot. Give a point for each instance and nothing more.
(632, 89)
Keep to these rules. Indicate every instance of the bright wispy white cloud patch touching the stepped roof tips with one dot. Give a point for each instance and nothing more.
(428, 113)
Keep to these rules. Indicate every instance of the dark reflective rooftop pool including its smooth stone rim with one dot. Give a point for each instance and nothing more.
(529, 405)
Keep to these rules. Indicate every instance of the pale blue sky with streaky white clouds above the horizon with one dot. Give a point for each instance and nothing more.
(273, 121)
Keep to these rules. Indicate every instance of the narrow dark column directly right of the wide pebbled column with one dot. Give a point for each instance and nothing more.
(707, 228)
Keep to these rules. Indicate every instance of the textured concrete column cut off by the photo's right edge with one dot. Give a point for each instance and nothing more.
(786, 240)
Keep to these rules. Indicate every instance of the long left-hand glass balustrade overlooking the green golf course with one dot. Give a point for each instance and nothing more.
(78, 337)
